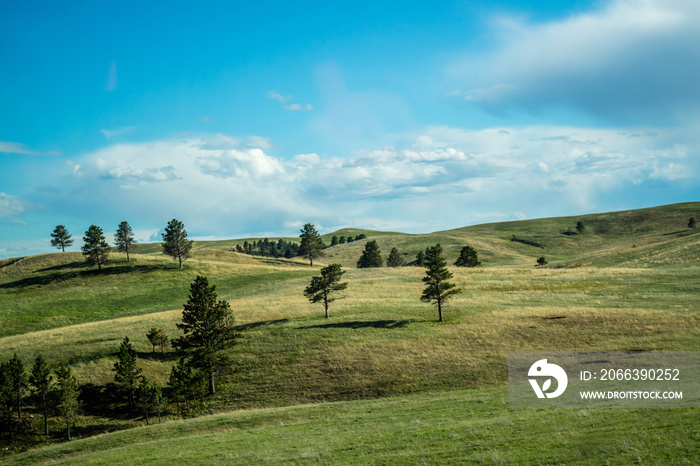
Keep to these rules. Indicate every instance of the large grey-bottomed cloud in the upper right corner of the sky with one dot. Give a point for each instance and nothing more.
(627, 57)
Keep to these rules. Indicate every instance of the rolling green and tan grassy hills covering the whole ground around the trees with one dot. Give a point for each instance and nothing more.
(630, 281)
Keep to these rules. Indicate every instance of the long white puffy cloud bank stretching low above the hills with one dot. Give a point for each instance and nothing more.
(451, 176)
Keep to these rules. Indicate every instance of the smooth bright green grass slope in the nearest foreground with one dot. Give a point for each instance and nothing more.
(466, 426)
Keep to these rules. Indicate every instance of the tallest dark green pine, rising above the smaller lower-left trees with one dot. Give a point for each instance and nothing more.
(208, 330)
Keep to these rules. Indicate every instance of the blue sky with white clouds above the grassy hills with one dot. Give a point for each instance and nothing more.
(249, 119)
